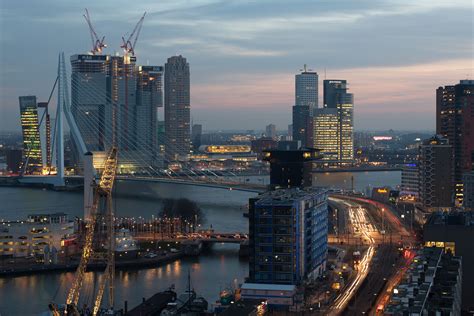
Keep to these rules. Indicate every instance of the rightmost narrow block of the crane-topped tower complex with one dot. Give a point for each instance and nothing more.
(149, 99)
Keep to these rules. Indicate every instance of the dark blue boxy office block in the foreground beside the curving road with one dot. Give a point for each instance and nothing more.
(288, 236)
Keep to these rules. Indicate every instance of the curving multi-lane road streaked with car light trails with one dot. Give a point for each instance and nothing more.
(372, 224)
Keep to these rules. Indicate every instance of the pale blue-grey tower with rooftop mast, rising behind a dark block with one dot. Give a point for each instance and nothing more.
(306, 89)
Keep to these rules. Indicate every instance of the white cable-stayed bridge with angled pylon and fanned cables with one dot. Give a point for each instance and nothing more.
(98, 120)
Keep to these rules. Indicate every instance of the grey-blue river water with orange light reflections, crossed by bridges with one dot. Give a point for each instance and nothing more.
(215, 269)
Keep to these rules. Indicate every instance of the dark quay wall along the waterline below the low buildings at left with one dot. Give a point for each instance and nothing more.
(125, 265)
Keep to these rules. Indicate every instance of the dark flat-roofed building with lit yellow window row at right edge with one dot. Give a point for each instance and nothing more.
(454, 232)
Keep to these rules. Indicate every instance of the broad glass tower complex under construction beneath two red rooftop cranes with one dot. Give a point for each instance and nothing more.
(114, 102)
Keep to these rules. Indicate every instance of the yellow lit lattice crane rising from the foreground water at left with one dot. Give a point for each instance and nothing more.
(103, 190)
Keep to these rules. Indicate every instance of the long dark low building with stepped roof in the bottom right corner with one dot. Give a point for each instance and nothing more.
(432, 286)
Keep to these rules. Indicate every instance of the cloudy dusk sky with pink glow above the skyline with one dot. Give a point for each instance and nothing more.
(243, 54)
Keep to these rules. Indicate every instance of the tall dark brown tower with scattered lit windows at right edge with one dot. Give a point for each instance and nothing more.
(455, 121)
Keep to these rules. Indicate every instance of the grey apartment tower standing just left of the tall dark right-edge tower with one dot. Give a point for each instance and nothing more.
(436, 174)
